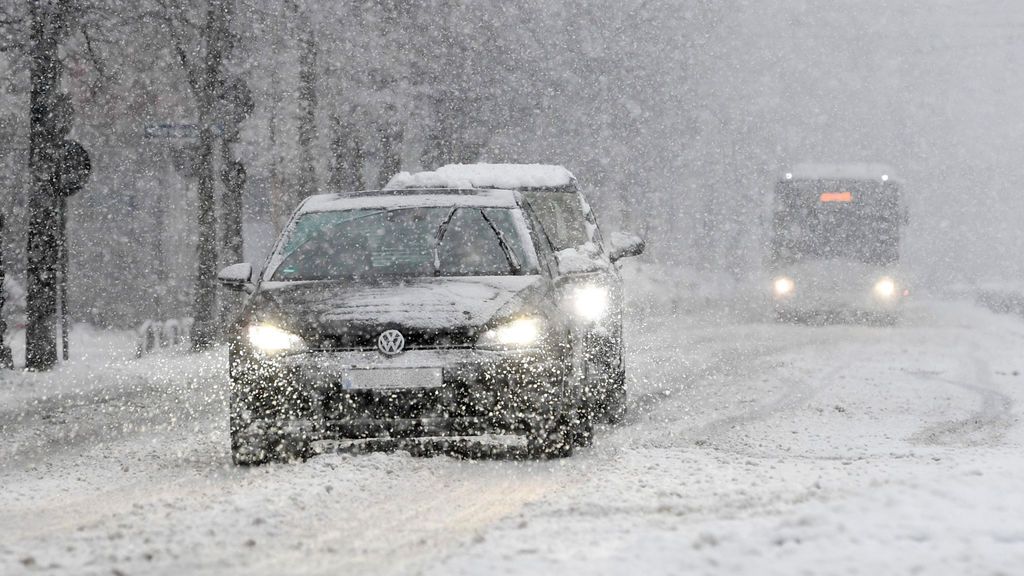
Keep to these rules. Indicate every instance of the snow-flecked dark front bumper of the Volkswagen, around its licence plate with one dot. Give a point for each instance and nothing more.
(482, 392)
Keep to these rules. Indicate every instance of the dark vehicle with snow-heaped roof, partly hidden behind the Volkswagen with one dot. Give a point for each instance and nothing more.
(588, 263)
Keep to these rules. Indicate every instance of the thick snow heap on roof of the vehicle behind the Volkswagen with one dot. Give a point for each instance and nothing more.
(507, 177)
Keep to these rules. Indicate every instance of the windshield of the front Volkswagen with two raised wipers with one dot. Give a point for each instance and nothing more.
(405, 242)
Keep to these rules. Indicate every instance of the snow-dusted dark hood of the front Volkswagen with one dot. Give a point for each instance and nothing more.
(428, 305)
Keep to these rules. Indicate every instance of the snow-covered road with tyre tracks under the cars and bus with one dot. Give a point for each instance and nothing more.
(751, 448)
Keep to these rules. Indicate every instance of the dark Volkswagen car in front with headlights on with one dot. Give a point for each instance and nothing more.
(406, 314)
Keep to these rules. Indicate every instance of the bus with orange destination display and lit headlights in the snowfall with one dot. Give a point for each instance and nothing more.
(835, 242)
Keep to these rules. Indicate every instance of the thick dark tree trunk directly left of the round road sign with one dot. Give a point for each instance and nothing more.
(45, 146)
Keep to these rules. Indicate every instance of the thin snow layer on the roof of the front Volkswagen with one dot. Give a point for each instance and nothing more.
(409, 199)
